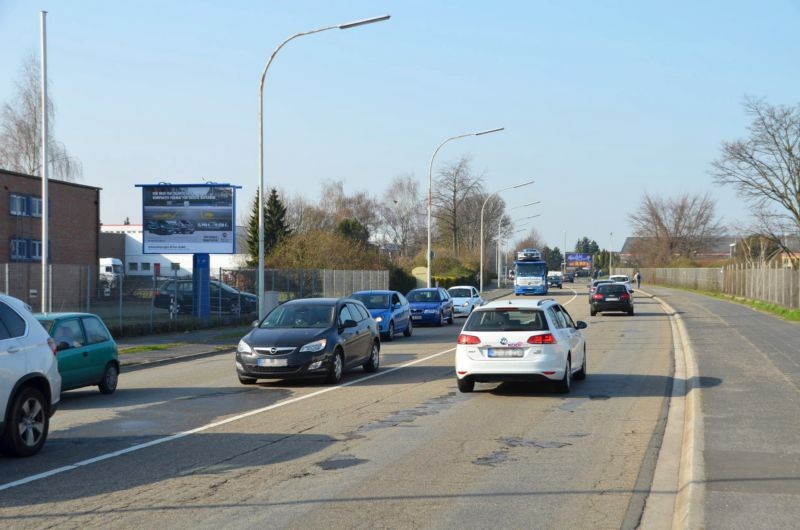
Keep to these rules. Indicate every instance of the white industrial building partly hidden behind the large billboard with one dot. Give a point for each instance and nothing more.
(139, 264)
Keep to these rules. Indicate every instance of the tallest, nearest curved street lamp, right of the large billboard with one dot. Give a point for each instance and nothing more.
(260, 278)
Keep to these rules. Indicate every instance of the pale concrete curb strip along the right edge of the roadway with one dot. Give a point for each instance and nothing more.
(677, 492)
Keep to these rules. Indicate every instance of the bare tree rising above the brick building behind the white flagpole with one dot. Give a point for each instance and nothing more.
(21, 131)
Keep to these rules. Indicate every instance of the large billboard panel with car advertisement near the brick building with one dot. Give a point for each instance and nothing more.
(188, 218)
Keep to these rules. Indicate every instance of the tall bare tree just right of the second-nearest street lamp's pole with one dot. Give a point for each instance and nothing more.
(454, 185)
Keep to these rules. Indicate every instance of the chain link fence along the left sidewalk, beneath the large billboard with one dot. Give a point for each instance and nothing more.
(136, 305)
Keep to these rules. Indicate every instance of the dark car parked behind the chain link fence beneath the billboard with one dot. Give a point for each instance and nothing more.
(222, 298)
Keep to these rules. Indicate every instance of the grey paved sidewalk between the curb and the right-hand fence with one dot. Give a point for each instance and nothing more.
(749, 367)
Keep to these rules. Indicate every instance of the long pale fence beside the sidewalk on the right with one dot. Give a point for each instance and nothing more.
(766, 283)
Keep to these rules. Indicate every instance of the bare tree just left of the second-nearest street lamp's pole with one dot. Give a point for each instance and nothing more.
(402, 212)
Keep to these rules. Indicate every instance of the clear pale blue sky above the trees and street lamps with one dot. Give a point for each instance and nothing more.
(601, 101)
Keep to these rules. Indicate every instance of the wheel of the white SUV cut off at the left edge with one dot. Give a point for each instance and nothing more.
(26, 430)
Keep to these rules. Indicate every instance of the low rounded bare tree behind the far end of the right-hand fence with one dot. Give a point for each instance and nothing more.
(674, 228)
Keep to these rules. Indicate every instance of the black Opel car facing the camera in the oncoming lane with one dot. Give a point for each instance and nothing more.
(310, 337)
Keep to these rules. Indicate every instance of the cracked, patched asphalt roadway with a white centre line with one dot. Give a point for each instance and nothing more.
(399, 449)
